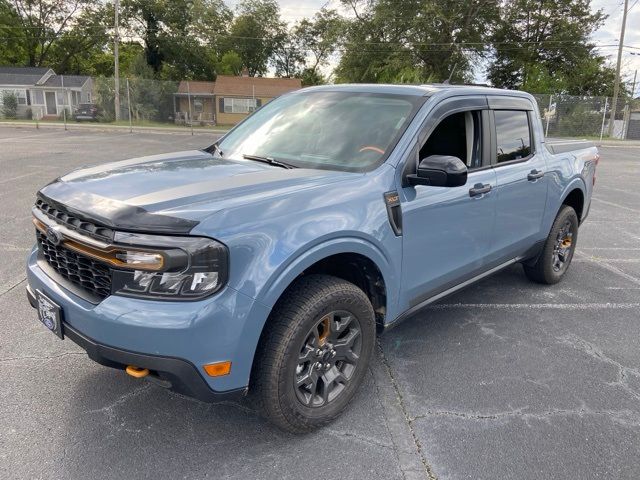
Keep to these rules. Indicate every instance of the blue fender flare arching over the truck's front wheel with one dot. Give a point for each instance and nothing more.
(310, 254)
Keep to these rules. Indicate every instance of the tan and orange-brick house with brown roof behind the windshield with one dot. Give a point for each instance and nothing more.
(229, 99)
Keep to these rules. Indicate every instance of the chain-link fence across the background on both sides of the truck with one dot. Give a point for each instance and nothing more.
(193, 105)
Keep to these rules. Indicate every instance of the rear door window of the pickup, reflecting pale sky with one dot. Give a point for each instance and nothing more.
(513, 136)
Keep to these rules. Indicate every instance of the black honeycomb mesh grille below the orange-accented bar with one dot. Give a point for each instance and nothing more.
(92, 276)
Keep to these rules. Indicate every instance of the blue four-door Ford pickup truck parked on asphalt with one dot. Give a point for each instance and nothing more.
(267, 263)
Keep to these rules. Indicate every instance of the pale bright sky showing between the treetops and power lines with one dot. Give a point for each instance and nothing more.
(608, 34)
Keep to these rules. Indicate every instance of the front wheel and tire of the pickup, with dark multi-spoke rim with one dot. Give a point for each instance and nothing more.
(287, 354)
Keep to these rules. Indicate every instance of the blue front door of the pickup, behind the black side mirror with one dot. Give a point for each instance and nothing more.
(447, 231)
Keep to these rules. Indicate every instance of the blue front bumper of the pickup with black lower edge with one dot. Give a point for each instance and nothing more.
(174, 340)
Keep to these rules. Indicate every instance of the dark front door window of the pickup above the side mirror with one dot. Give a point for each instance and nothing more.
(458, 135)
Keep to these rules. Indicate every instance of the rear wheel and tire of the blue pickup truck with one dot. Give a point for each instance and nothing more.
(556, 256)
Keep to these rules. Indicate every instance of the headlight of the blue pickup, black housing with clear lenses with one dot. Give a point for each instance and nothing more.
(193, 267)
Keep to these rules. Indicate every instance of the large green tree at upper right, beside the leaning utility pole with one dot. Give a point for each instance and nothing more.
(543, 46)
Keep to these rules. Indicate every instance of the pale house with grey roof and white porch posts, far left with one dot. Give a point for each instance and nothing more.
(44, 93)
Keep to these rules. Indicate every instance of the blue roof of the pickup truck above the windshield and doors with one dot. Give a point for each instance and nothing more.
(419, 90)
